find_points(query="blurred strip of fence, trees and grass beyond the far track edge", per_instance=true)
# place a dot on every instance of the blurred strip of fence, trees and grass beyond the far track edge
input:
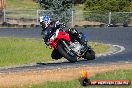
(75, 13)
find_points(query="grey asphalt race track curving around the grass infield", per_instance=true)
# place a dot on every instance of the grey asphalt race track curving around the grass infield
(116, 36)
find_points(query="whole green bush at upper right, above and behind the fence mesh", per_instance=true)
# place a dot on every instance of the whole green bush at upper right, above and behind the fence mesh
(101, 8)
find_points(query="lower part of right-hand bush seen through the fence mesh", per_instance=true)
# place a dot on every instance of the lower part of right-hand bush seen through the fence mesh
(116, 17)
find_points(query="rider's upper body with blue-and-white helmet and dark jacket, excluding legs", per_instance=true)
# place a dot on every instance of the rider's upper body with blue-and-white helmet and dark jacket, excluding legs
(49, 27)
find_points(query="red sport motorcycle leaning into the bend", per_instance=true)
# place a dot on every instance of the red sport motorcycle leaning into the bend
(70, 45)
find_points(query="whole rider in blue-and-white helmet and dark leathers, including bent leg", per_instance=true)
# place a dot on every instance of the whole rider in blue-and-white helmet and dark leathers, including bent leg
(49, 27)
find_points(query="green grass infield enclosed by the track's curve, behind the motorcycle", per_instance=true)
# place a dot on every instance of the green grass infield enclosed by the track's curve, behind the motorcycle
(15, 51)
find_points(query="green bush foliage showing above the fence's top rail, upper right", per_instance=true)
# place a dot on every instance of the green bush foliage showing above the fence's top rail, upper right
(108, 5)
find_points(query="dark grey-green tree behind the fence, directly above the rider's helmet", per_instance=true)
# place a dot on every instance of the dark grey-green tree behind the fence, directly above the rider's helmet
(59, 9)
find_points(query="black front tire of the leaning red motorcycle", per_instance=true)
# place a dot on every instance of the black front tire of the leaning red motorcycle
(64, 53)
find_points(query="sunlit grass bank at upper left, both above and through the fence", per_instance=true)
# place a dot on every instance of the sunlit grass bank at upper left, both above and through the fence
(21, 9)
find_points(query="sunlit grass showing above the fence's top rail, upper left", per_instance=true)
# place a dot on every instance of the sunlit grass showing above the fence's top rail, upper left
(21, 4)
